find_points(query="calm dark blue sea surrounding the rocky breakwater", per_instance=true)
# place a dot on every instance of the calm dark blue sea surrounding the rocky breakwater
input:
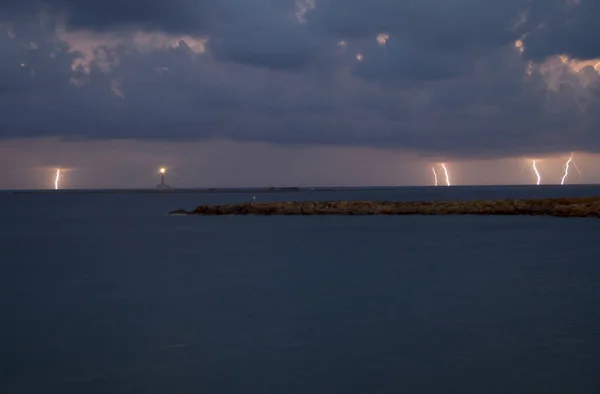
(104, 292)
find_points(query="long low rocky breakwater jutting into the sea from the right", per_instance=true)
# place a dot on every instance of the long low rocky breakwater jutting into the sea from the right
(564, 207)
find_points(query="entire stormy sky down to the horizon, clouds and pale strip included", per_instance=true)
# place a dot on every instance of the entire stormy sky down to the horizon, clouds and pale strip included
(308, 92)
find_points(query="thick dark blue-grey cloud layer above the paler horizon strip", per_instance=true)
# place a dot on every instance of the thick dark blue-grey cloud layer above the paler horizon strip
(454, 78)
